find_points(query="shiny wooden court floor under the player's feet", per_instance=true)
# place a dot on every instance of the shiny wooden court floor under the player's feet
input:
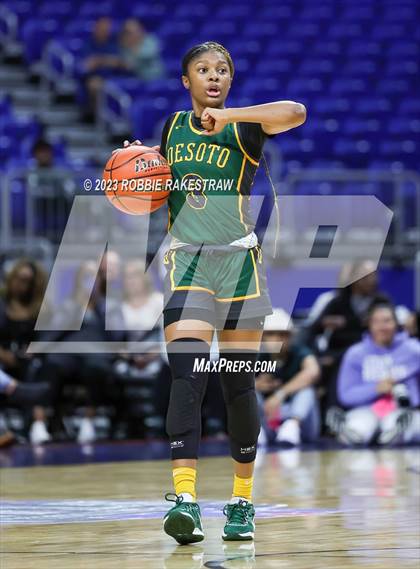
(315, 510)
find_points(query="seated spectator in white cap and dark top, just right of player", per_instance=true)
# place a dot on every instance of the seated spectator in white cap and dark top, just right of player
(288, 394)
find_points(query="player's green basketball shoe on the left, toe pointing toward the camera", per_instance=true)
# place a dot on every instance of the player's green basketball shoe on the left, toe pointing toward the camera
(183, 521)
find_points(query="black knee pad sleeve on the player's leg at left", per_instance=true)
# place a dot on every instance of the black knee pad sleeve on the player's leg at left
(183, 420)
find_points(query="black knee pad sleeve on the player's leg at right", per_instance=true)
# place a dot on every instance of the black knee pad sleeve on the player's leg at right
(241, 405)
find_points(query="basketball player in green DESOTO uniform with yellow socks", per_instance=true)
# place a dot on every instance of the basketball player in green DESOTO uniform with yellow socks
(215, 279)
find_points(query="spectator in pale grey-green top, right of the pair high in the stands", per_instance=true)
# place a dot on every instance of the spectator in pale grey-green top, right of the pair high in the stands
(140, 51)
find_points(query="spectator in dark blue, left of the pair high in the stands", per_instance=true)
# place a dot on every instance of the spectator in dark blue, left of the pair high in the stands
(101, 58)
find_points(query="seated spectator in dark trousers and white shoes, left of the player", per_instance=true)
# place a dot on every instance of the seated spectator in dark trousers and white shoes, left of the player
(87, 304)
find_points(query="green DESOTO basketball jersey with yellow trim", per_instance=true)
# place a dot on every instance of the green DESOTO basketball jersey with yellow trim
(212, 178)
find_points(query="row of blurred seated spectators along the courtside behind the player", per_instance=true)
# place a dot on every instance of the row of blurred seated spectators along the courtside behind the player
(350, 368)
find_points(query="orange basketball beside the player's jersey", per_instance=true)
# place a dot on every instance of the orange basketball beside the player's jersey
(136, 179)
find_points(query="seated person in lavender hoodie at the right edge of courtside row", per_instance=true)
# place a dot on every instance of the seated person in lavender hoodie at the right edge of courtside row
(379, 384)
